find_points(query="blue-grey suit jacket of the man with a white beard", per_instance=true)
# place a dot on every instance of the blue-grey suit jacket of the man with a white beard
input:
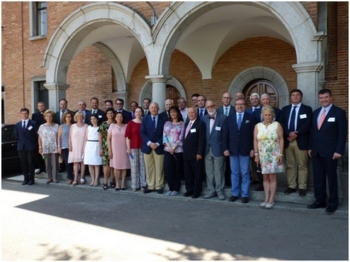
(214, 139)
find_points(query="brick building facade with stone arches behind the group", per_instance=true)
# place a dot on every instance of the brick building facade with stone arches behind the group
(112, 50)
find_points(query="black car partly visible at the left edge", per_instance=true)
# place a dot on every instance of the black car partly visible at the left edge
(9, 155)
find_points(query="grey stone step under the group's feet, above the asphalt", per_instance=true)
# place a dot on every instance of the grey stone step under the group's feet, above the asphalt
(282, 201)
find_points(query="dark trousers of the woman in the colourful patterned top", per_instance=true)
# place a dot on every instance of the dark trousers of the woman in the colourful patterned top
(173, 167)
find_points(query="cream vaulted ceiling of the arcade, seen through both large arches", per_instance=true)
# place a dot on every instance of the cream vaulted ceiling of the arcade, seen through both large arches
(205, 40)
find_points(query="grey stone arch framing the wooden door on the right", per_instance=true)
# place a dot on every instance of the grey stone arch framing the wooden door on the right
(246, 76)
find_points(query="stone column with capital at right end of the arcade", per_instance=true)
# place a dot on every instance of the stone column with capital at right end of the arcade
(308, 82)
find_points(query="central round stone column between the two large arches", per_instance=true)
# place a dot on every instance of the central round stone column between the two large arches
(158, 90)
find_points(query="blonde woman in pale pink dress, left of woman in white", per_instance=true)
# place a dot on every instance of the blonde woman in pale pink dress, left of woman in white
(77, 135)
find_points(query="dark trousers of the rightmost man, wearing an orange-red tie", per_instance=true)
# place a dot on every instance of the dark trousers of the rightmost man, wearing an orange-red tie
(324, 168)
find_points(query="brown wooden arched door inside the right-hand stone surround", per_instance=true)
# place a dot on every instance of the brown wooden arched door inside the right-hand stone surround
(261, 86)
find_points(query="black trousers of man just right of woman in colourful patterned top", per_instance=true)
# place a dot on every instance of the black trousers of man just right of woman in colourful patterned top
(193, 175)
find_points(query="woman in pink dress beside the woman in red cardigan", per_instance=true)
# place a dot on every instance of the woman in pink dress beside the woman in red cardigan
(119, 159)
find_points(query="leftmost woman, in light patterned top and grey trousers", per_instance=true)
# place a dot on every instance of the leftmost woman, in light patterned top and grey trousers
(47, 141)
